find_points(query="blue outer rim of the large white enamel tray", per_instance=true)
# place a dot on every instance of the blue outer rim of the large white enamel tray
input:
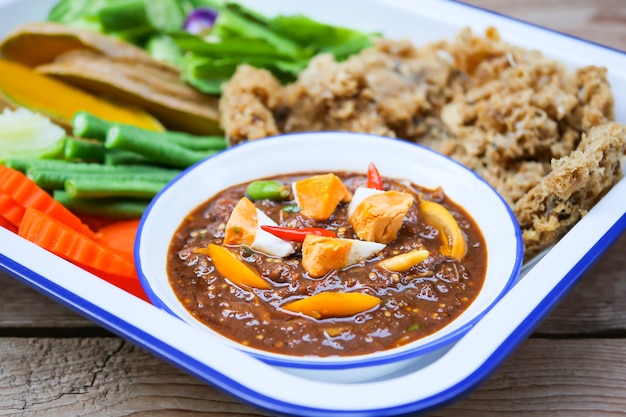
(195, 367)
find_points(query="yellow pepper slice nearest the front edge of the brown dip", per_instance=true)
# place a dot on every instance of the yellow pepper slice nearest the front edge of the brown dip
(333, 304)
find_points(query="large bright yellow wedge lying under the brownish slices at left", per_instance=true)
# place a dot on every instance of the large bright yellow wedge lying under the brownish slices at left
(22, 86)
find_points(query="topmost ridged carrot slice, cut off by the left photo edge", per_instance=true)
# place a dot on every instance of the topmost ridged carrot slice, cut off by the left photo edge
(25, 192)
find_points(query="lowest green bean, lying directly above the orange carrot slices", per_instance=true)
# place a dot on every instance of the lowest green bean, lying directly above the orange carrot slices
(114, 208)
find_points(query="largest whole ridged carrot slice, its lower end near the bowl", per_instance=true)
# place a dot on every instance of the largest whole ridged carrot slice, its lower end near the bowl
(58, 238)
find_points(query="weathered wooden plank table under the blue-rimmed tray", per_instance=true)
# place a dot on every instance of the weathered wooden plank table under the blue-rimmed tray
(56, 363)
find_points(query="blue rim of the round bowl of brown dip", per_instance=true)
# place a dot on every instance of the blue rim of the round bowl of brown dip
(344, 362)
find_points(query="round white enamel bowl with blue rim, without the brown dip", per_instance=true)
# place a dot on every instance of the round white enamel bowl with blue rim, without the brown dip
(328, 152)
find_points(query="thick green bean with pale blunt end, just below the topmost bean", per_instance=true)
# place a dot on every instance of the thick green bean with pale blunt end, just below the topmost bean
(162, 152)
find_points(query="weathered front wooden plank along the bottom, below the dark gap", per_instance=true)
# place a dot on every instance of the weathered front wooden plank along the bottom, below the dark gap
(111, 377)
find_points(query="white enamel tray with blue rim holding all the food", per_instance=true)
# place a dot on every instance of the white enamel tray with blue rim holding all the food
(448, 374)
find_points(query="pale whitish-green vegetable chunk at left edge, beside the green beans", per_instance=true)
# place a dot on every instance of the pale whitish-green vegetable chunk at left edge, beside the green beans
(27, 134)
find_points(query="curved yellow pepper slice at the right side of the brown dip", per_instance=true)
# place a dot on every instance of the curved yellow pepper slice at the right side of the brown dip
(439, 217)
